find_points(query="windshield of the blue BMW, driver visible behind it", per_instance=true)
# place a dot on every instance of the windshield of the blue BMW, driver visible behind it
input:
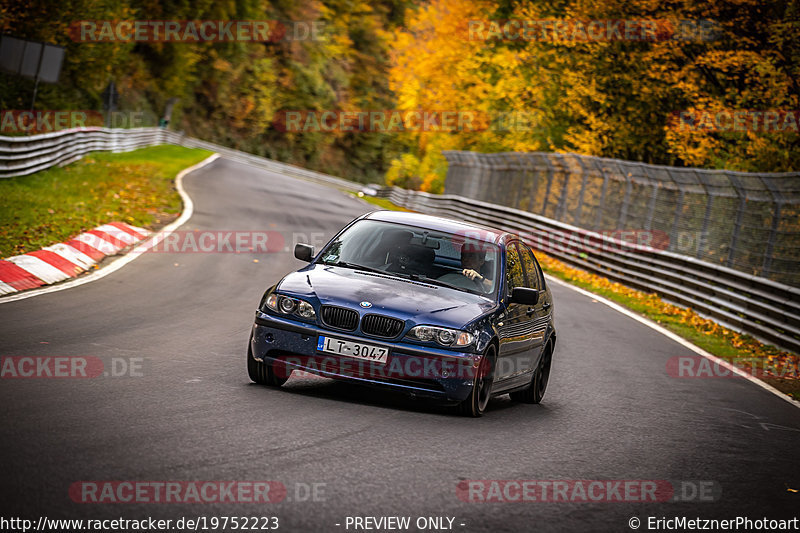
(459, 261)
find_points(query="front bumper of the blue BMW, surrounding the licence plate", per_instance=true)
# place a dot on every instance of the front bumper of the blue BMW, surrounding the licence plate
(423, 371)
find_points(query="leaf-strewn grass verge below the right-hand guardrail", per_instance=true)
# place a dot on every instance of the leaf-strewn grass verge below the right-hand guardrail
(776, 367)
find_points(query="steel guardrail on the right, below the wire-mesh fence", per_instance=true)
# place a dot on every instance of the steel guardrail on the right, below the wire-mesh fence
(756, 305)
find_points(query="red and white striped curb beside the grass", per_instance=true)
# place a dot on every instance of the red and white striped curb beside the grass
(67, 259)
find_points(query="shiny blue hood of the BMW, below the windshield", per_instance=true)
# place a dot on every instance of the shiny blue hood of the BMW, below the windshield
(405, 299)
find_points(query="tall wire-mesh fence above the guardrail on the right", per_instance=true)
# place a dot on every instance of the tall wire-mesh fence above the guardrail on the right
(749, 221)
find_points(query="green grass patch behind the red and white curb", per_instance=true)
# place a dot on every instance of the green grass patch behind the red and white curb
(53, 205)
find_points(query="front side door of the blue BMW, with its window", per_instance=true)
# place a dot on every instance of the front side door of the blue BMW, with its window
(515, 329)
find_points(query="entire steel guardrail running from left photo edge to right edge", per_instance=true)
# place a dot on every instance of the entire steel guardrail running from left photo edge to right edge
(756, 305)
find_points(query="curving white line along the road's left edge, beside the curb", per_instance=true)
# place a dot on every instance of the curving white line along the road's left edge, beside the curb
(188, 209)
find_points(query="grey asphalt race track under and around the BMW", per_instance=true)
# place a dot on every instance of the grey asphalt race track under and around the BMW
(611, 411)
